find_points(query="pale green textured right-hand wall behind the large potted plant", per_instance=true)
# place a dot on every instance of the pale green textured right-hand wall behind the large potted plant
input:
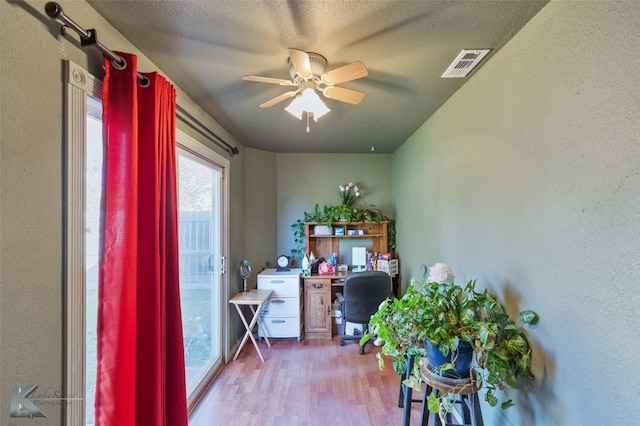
(528, 179)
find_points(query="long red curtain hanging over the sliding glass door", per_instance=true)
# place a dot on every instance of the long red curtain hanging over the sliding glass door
(141, 374)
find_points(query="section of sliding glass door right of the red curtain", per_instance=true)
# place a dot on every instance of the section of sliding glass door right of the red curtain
(201, 198)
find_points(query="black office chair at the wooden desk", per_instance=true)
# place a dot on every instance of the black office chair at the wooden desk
(363, 294)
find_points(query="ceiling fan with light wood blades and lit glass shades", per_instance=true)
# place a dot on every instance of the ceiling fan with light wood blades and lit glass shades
(308, 70)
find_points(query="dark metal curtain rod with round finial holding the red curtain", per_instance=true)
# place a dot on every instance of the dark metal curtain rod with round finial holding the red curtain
(89, 38)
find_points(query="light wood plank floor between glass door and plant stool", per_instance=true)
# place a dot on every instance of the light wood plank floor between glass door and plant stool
(311, 382)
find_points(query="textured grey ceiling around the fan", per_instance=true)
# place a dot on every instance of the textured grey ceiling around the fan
(206, 47)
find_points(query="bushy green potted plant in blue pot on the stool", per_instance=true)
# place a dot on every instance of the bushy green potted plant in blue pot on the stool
(447, 317)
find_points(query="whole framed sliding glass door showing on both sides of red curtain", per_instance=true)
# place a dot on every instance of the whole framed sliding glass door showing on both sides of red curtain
(202, 192)
